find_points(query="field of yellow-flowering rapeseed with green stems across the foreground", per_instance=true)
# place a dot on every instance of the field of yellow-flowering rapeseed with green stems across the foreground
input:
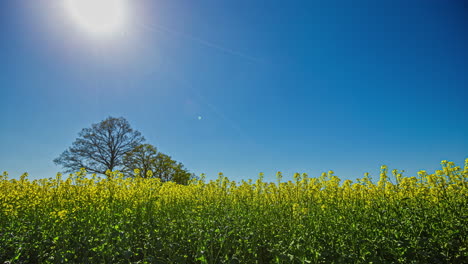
(88, 219)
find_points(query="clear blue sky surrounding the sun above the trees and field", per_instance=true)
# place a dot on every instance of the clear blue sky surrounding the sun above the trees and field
(243, 87)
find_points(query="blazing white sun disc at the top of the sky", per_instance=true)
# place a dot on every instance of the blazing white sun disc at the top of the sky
(99, 17)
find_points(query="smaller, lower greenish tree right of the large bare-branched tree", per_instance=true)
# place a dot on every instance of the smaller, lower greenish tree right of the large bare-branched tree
(154, 164)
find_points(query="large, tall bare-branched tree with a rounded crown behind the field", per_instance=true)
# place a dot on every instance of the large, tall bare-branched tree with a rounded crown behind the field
(101, 147)
